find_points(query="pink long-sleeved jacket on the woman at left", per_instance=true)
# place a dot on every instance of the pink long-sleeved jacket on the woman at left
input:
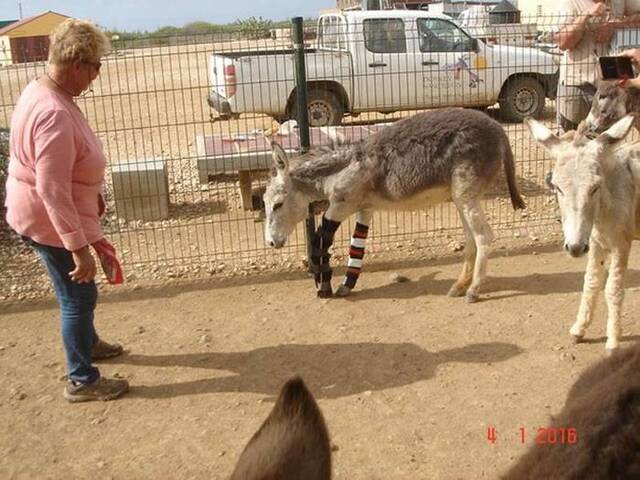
(56, 171)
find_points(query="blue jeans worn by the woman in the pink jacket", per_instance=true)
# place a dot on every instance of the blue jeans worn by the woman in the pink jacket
(77, 302)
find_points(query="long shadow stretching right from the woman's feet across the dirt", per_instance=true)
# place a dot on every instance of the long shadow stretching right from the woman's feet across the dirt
(331, 370)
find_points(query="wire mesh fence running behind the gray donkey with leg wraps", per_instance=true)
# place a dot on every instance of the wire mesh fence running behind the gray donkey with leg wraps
(184, 180)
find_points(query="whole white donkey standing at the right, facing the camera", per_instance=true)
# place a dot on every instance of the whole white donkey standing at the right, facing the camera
(596, 183)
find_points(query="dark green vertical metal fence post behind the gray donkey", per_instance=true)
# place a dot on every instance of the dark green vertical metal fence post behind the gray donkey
(302, 114)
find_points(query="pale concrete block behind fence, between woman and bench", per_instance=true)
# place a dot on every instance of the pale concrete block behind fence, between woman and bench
(141, 190)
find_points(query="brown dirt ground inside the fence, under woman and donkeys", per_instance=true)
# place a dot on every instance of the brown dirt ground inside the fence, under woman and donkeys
(409, 380)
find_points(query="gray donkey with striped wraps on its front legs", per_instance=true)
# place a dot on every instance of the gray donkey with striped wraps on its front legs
(420, 161)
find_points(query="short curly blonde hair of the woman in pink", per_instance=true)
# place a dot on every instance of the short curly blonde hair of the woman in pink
(76, 41)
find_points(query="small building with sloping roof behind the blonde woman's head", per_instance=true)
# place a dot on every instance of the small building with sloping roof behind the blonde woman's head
(27, 40)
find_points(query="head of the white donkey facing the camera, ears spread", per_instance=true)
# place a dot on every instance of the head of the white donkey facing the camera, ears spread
(577, 177)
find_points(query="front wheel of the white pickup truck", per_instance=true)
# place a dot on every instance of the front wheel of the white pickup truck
(521, 97)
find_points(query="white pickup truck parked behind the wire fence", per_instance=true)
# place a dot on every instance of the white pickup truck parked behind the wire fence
(385, 61)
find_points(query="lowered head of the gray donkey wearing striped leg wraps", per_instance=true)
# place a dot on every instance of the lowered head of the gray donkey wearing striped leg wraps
(285, 205)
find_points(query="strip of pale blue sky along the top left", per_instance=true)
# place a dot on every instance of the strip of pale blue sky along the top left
(151, 14)
